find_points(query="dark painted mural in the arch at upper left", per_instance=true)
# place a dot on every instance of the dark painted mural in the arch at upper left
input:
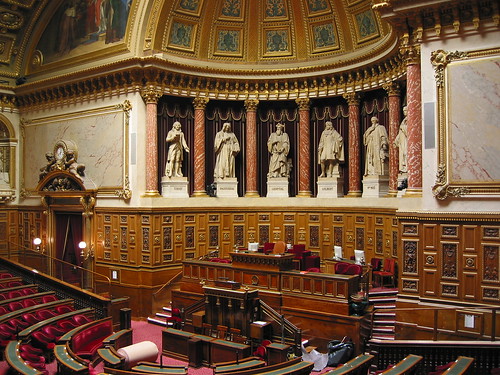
(82, 26)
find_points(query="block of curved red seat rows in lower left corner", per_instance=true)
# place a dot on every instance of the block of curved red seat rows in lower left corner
(31, 322)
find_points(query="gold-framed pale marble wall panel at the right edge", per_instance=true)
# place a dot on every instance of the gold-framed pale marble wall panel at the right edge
(466, 151)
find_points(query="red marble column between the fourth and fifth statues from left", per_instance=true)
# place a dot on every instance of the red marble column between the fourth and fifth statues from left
(353, 100)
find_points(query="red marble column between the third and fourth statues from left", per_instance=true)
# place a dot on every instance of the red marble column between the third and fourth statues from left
(304, 148)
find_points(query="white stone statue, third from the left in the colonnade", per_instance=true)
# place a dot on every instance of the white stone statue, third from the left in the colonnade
(278, 145)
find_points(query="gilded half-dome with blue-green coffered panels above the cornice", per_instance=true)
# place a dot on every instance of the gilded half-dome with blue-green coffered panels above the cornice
(256, 35)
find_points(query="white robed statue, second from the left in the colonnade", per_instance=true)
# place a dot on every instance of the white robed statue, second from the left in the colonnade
(226, 147)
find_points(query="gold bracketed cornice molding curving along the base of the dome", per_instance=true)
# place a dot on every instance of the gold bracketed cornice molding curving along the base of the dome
(134, 75)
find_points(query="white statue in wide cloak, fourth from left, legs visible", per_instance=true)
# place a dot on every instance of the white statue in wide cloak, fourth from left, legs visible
(330, 151)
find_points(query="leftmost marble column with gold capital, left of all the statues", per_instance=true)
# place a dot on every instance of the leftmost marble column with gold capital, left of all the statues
(151, 96)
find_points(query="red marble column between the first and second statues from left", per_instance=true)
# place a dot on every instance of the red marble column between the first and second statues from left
(200, 103)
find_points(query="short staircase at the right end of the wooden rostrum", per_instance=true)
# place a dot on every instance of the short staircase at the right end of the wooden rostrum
(384, 315)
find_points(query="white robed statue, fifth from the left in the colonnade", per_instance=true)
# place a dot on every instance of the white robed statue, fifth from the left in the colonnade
(375, 140)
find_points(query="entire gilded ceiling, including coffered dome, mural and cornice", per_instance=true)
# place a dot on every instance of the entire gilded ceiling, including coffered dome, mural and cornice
(229, 49)
